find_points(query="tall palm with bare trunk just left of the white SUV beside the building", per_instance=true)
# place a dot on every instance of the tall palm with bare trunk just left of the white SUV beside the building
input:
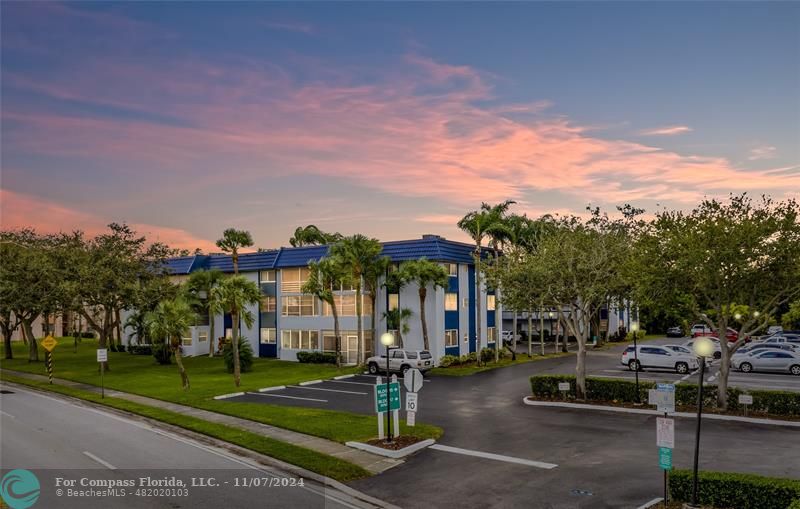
(359, 254)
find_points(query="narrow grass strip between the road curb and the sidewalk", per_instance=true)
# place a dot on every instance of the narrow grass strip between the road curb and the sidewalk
(314, 461)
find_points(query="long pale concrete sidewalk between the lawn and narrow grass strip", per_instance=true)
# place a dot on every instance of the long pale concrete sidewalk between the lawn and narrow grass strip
(371, 462)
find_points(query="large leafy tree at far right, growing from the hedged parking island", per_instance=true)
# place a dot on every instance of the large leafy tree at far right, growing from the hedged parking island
(721, 254)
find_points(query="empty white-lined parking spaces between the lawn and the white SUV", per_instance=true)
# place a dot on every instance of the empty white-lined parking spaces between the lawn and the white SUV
(350, 394)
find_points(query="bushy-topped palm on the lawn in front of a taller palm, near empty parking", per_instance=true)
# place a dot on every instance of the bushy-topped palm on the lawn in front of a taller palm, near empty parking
(233, 295)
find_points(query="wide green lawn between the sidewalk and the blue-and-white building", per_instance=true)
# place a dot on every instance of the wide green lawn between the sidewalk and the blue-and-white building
(140, 374)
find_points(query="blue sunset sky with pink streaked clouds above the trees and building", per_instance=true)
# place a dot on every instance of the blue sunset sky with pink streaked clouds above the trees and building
(392, 120)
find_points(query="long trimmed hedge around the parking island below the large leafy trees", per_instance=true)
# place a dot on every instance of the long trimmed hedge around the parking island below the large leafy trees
(608, 389)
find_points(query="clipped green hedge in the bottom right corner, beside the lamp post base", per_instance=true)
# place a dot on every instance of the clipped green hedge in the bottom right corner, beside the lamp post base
(727, 490)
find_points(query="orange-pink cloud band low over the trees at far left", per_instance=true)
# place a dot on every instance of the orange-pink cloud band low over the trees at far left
(18, 210)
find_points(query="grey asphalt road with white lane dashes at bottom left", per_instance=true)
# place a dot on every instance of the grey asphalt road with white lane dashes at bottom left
(54, 438)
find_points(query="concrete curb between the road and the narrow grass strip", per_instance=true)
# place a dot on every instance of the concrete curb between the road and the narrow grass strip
(221, 444)
